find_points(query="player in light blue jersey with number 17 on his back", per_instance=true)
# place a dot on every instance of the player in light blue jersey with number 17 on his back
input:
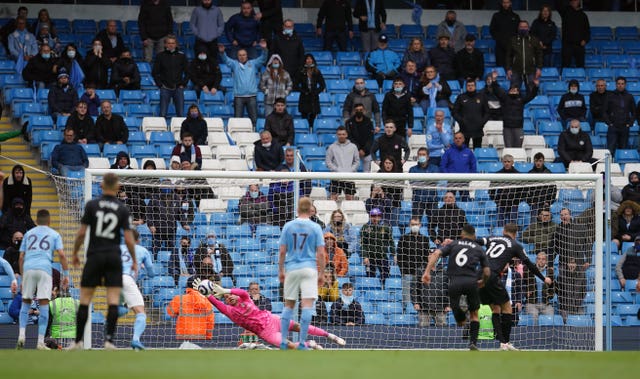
(301, 265)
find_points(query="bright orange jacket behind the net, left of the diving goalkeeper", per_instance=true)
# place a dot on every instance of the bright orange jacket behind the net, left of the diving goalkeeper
(194, 313)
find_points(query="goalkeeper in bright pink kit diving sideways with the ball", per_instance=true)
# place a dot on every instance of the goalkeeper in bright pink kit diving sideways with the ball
(236, 304)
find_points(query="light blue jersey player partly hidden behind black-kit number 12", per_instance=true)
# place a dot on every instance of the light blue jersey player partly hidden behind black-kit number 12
(130, 291)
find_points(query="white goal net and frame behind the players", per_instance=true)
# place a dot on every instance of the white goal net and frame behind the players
(226, 225)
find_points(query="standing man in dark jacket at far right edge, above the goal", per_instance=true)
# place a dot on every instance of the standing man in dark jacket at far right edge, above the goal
(619, 115)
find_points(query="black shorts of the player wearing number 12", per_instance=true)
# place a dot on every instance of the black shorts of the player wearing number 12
(102, 269)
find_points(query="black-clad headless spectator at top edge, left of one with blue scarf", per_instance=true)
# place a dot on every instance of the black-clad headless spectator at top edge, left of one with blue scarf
(338, 25)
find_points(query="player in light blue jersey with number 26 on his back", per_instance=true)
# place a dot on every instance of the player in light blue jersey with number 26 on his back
(36, 255)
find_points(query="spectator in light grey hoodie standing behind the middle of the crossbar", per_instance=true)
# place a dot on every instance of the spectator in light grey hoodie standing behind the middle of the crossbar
(342, 156)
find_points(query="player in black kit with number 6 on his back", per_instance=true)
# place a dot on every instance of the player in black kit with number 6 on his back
(464, 257)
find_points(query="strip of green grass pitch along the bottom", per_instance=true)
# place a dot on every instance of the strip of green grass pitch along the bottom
(328, 364)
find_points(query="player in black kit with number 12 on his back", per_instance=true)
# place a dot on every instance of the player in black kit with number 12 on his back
(107, 218)
